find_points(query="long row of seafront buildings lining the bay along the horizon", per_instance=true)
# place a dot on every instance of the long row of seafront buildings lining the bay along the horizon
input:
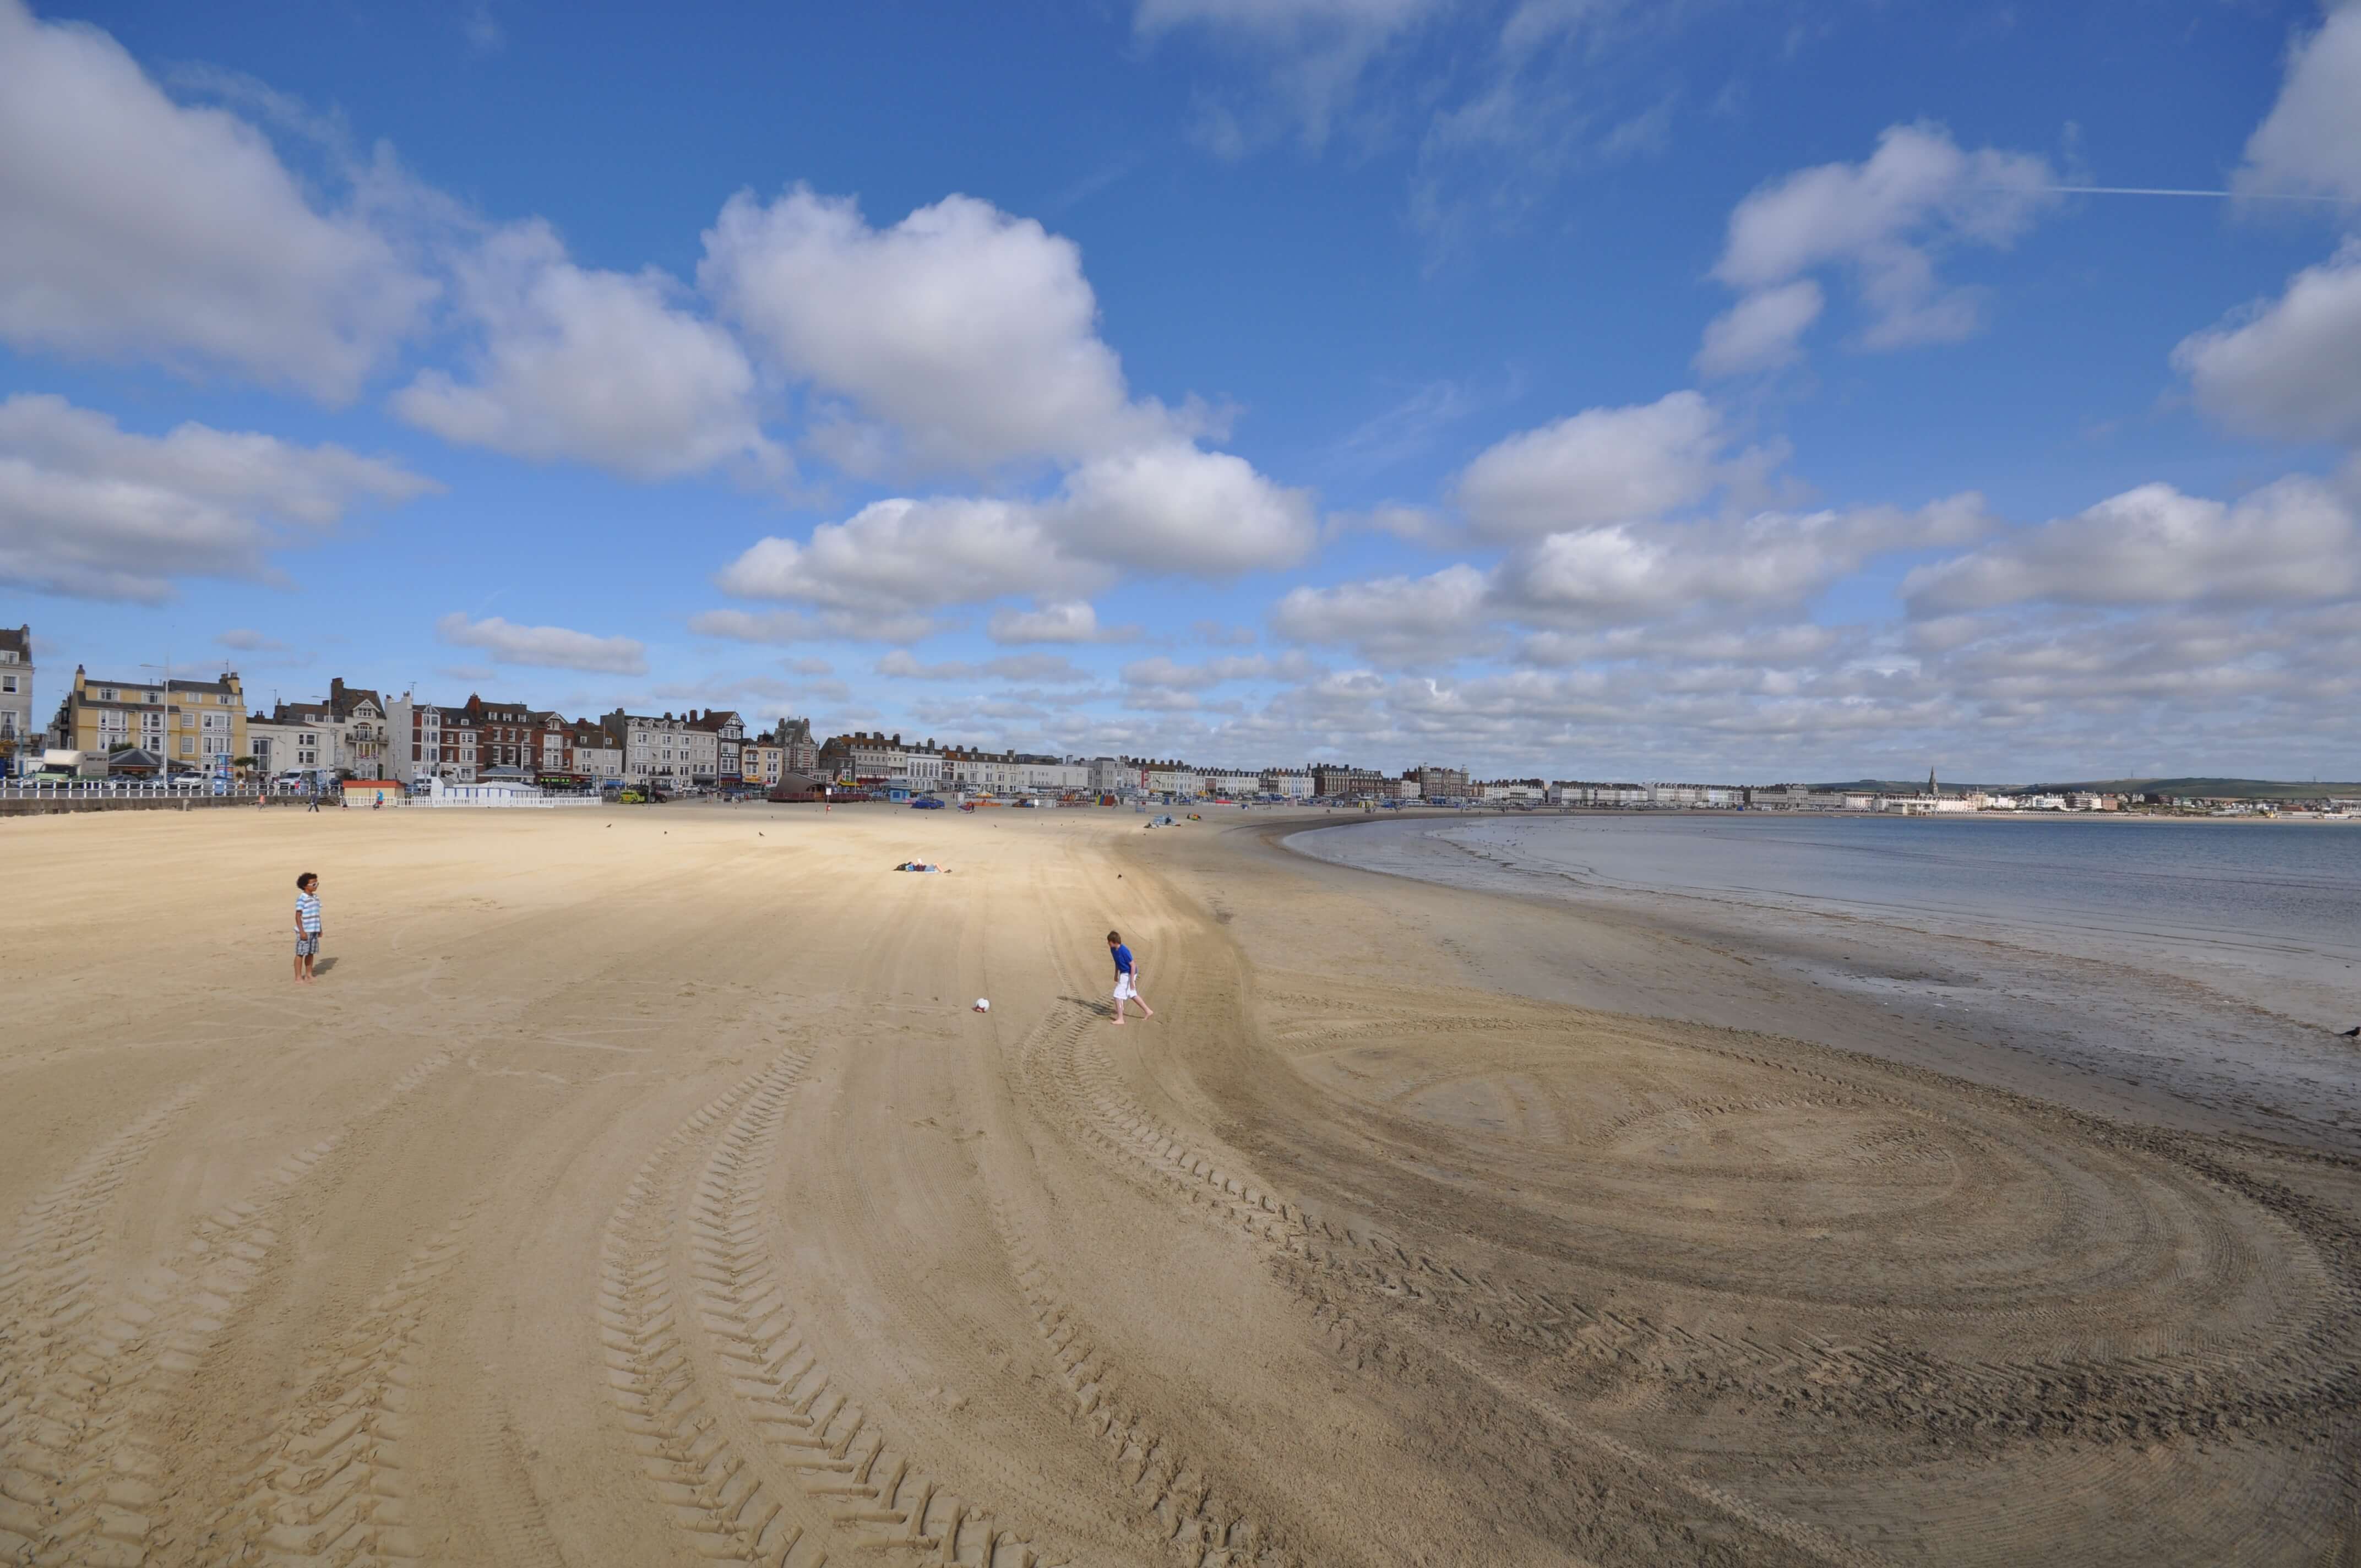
(360, 733)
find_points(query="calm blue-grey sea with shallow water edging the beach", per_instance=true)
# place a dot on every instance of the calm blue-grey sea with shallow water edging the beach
(2211, 955)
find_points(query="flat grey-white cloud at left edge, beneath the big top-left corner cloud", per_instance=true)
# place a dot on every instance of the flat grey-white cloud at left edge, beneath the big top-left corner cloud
(93, 511)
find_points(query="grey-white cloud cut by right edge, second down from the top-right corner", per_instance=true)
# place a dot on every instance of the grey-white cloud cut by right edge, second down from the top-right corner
(2289, 367)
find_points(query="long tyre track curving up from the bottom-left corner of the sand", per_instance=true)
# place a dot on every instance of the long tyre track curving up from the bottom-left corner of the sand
(81, 1444)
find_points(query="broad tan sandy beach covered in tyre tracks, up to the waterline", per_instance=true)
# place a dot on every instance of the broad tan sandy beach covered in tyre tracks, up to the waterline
(648, 1194)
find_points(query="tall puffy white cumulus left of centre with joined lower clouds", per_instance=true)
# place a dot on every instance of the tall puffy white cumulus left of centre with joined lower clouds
(969, 339)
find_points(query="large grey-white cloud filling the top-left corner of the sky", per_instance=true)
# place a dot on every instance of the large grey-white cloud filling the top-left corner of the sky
(140, 228)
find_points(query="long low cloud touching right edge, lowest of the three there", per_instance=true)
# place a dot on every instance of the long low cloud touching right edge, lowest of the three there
(2287, 544)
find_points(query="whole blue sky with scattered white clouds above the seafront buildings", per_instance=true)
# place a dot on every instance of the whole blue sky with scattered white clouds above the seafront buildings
(1550, 386)
